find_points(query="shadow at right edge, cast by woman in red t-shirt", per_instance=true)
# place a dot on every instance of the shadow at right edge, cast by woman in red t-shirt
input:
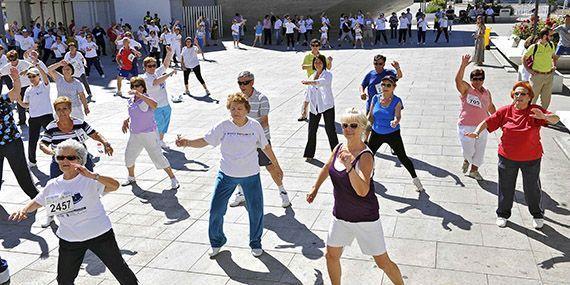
(549, 237)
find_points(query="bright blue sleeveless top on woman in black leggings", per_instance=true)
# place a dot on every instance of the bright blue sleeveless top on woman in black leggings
(384, 115)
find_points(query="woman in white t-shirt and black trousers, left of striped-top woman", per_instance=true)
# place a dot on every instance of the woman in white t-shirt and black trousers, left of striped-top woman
(37, 100)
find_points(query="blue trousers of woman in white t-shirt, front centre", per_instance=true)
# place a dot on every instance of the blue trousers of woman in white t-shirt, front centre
(223, 189)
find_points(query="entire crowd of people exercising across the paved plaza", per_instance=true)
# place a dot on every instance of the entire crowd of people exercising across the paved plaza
(73, 193)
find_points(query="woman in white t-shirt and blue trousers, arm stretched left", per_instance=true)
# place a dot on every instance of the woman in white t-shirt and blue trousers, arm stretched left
(239, 137)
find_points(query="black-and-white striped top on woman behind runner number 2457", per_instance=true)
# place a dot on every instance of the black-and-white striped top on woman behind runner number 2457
(54, 136)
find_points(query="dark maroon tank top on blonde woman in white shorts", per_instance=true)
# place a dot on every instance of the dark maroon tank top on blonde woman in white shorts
(348, 205)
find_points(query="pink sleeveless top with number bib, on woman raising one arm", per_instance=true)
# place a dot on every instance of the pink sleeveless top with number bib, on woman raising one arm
(474, 107)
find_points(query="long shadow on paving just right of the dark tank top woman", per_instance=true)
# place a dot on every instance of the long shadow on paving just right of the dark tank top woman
(426, 207)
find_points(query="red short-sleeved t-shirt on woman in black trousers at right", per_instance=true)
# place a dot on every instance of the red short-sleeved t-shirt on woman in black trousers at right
(521, 132)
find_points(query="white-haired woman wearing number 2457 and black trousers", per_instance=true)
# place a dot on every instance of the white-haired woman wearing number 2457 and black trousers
(75, 199)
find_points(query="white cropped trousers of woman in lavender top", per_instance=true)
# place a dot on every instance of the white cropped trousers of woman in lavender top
(149, 142)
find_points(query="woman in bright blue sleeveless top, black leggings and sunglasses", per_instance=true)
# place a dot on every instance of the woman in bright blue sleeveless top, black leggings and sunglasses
(385, 115)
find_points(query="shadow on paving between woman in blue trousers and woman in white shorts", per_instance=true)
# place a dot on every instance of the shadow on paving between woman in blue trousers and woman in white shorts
(291, 231)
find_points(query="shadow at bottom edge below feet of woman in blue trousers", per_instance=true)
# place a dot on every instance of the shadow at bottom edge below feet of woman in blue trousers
(277, 270)
